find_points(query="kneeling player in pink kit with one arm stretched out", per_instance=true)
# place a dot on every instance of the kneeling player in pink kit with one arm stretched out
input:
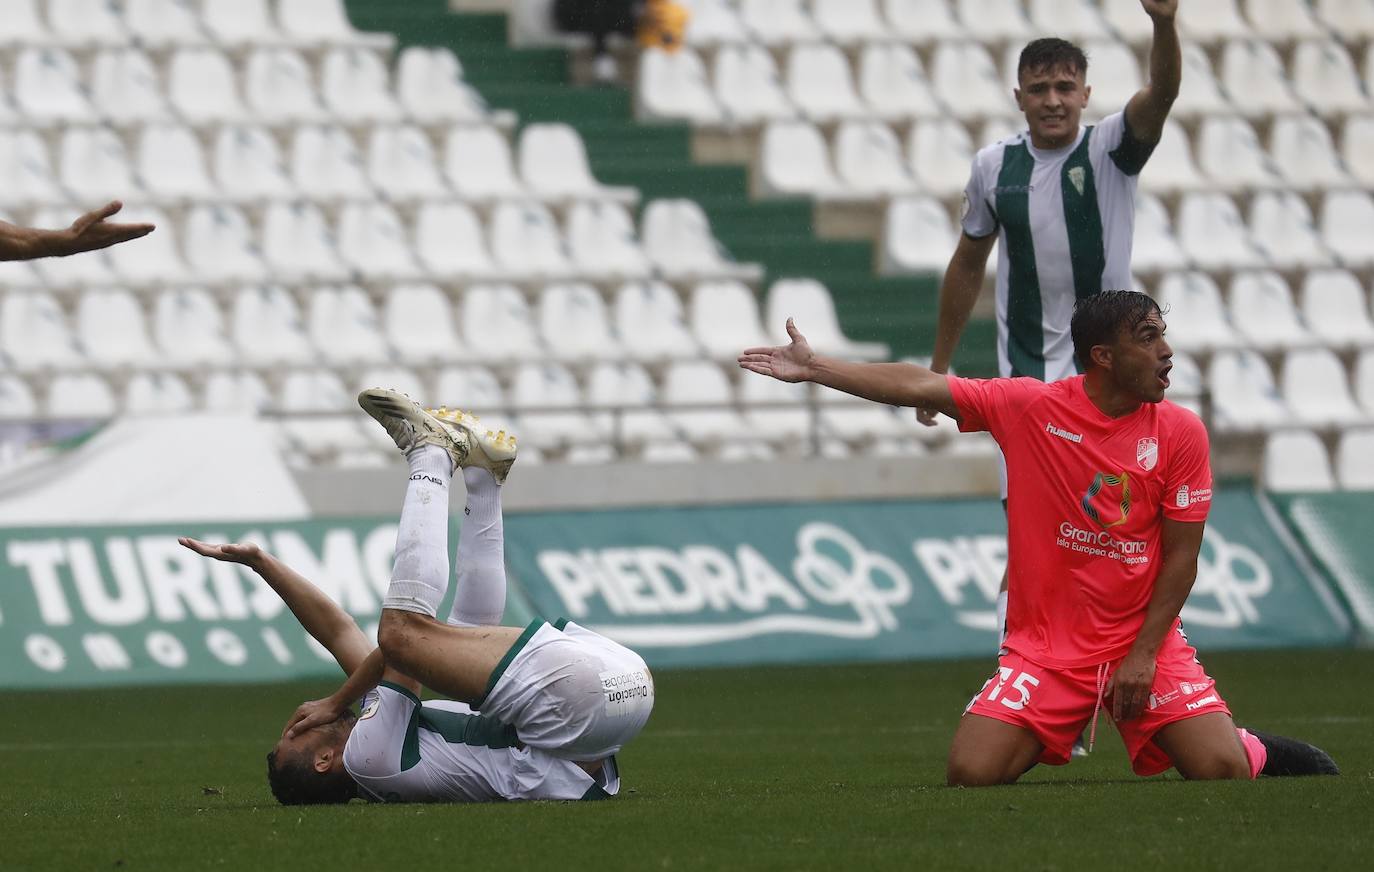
(1111, 488)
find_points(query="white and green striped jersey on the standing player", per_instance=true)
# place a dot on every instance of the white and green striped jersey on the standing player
(1066, 220)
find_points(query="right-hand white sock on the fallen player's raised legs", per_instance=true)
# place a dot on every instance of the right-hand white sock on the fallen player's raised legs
(480, 599)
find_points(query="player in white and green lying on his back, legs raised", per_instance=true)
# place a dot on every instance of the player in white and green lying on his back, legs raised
(556, 702)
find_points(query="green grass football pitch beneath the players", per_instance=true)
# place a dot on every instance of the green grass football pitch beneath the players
(798, 768)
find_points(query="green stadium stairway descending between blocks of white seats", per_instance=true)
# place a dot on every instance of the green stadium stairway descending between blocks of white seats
(656, 159)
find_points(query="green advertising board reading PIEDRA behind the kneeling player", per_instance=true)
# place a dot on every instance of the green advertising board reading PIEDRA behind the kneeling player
(859, 582)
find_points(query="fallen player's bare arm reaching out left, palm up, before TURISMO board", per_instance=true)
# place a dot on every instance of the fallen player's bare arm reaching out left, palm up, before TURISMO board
(319, 616)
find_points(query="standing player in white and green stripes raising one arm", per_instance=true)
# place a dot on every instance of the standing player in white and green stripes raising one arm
(1061, 200)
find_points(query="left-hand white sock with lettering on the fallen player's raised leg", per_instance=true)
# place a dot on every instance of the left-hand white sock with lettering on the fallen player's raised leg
(420, 575)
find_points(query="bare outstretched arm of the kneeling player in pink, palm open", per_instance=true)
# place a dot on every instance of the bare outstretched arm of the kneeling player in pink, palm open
(891, 384)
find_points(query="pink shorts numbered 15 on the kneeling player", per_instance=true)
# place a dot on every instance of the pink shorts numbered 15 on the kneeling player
(1057, 704)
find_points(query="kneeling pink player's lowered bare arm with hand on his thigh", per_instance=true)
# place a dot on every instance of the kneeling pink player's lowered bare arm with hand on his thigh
(1130, 685)
